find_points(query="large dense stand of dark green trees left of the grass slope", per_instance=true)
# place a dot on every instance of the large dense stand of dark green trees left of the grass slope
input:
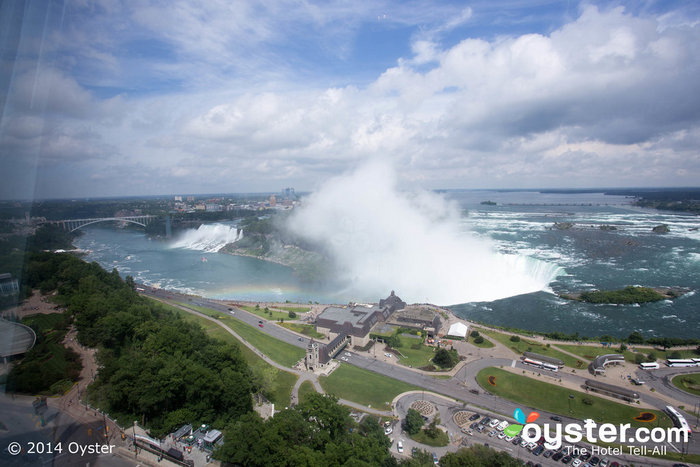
(155, 368)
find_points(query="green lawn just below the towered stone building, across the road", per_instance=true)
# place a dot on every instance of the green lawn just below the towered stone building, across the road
(364, 387)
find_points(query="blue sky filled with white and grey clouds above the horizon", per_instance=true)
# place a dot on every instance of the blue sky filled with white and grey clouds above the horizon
(127, 98)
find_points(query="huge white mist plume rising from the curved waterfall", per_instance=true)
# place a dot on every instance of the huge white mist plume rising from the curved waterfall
(383, 239)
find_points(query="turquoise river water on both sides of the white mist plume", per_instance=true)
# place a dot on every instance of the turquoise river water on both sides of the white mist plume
(520, 224)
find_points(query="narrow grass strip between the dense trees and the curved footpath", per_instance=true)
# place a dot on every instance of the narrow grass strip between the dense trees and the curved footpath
(284, 381)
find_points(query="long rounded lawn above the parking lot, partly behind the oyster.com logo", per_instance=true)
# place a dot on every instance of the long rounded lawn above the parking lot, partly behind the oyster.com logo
(545, 396)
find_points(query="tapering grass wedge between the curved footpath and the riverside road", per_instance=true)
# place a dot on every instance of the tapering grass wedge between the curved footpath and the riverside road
(281, 352)
